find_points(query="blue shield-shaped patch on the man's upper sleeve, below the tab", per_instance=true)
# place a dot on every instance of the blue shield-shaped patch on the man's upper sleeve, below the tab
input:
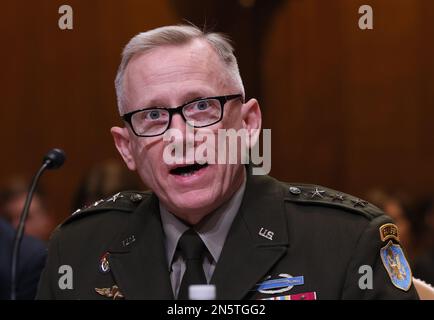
(396, 265)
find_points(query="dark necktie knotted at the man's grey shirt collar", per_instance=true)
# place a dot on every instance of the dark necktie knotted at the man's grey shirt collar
(192, 250)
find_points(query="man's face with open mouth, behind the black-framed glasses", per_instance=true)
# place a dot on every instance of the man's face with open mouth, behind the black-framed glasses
(170, 76)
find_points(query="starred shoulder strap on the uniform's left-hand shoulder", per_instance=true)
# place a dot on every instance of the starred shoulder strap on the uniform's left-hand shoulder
(122, 201)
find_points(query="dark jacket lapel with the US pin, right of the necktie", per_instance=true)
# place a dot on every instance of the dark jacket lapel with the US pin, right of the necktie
(256, 241)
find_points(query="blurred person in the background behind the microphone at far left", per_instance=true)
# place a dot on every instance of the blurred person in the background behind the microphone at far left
(33, 250)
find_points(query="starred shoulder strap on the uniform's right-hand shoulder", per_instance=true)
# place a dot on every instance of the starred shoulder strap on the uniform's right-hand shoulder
(318, 195)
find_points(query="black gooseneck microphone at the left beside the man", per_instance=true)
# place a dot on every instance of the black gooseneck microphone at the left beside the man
(53, 159)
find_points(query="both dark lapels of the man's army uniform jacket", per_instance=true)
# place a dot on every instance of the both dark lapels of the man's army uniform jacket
(246, 257)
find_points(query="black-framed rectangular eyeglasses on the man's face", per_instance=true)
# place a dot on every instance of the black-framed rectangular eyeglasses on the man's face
(199, 113)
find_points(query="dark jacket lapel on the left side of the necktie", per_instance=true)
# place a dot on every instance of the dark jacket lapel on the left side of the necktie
(137, 257)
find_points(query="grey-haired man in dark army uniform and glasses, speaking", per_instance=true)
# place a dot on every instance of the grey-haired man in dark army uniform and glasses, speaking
(251, 236)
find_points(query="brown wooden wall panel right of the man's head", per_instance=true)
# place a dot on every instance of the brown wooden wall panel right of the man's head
(355, 106)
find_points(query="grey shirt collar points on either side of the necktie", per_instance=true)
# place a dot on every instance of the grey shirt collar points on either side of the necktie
(212, 230)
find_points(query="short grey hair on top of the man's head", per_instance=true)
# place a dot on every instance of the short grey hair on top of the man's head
(175, 35)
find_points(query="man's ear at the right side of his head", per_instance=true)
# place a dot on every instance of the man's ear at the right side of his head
(252, 120)
